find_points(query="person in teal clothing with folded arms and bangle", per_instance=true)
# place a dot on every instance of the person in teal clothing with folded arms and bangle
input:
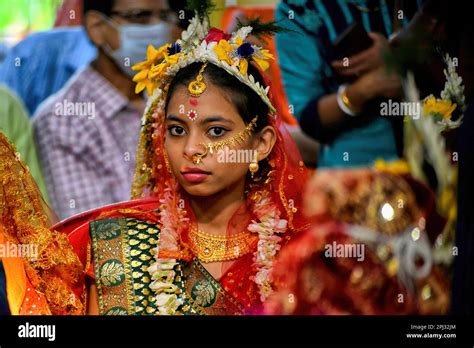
(357, 135)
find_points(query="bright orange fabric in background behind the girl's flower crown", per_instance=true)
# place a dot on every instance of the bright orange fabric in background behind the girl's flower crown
(266, 14)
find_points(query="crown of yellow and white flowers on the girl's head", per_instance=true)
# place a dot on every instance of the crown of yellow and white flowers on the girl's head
(201, 44)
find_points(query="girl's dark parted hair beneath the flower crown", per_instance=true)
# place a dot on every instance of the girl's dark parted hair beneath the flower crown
(247, 103)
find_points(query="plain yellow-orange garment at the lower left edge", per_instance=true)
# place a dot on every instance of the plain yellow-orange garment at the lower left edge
(15, 279)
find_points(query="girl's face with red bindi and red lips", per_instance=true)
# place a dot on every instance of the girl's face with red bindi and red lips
(216, 120)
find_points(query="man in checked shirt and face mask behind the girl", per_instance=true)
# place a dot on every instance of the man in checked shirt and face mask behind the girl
(87, 133)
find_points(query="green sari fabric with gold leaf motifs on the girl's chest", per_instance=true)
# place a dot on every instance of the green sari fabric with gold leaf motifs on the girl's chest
(123, 249)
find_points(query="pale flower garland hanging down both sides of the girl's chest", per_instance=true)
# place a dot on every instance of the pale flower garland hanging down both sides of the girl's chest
(163, 270)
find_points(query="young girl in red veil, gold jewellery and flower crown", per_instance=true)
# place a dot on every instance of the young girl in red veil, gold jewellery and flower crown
(217, 188)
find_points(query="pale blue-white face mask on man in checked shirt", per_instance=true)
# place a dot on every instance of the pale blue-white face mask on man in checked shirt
(134, 40)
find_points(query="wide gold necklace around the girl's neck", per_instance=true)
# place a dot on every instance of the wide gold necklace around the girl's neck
(210, 248)
